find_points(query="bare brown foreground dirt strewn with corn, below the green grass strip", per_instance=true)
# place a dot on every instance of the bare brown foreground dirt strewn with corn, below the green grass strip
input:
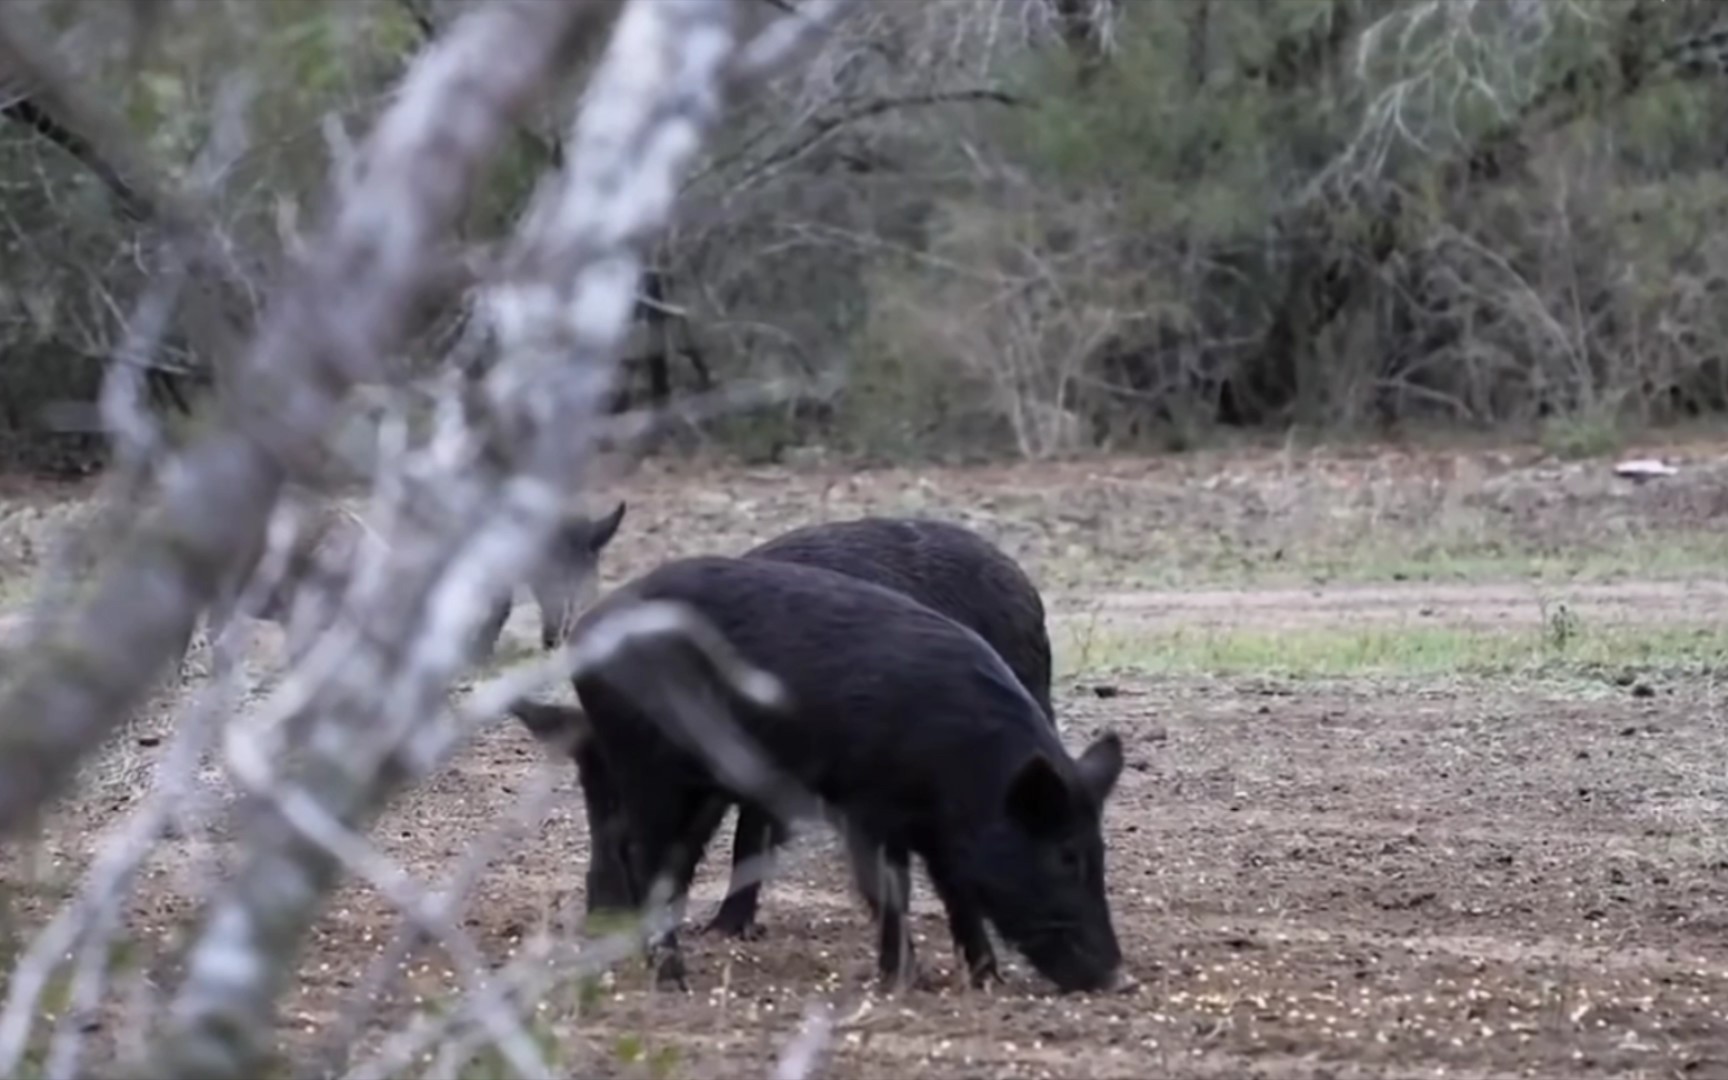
(1347, 882)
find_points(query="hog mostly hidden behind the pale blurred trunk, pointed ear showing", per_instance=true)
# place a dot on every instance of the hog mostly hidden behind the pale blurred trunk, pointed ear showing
(324, 557)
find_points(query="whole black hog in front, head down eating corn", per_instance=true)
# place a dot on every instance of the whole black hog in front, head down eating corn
(912, 732)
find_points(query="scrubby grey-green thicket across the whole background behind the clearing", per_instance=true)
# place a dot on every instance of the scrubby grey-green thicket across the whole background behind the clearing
(1007, 227)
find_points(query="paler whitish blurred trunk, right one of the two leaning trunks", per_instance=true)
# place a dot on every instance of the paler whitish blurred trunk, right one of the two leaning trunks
(483, 499)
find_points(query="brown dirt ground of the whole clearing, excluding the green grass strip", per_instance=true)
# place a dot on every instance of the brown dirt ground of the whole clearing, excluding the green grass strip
(1378, 877)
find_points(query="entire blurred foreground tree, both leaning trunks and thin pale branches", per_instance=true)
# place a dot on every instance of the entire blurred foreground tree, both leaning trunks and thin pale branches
(457, 516)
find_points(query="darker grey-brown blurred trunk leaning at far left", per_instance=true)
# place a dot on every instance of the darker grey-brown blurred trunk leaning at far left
(327, 329)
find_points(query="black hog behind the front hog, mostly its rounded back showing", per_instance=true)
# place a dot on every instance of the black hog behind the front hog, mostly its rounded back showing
(943, 566)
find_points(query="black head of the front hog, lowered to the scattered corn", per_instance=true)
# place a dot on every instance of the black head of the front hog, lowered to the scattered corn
(1039, 868)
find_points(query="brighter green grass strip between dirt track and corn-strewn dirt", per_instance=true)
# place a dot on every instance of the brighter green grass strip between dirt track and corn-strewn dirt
(1561, 647)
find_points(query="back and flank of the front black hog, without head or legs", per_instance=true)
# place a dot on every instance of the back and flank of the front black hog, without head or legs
(896, 708)
